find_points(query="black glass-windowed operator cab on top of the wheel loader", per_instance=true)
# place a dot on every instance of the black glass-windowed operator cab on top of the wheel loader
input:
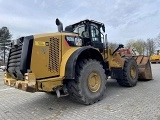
(90, 31)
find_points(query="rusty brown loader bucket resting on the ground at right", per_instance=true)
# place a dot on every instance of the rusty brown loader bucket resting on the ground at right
(144, 67)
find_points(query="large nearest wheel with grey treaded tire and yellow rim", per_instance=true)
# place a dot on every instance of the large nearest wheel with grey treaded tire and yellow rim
(90, 82)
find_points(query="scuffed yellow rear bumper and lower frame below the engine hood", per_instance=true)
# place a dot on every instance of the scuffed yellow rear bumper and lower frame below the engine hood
(32, 85)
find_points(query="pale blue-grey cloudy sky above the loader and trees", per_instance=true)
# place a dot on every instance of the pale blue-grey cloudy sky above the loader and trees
(124, 19)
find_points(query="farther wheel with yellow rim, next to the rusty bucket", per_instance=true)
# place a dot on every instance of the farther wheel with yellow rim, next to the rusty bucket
(130, 73)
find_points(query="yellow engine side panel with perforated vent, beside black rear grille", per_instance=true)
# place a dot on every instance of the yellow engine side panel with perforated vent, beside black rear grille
(43, 51)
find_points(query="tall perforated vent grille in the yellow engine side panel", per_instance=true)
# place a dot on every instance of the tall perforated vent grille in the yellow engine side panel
(54, 55)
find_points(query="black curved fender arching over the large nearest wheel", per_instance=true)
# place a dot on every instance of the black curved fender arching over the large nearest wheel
(71, 63)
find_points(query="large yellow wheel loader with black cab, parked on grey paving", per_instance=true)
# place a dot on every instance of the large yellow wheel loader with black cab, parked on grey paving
(74, 61)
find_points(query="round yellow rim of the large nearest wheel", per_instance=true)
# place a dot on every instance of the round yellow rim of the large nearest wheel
(94, 81)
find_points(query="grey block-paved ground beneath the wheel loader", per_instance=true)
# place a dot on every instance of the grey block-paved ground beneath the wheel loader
(141, 102)
